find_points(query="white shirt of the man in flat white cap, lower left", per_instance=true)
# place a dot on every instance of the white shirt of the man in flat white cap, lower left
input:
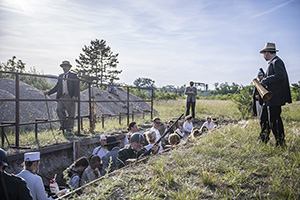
(35, 185)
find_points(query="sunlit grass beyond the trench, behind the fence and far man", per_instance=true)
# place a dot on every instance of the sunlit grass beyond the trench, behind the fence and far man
(166, 110)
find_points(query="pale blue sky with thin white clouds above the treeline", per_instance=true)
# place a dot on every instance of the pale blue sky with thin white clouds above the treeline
(169, 41)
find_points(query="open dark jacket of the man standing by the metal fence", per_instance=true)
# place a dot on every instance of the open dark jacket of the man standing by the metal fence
(72, 86)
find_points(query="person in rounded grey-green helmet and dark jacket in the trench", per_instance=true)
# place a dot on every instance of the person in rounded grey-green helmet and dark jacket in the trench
(135, 150)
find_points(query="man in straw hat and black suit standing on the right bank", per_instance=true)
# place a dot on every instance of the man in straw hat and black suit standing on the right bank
(277, 81)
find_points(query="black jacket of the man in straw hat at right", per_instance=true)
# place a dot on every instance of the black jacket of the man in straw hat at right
(277, 80)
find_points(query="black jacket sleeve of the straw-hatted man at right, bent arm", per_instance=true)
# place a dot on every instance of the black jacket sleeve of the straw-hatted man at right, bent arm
(279, 73)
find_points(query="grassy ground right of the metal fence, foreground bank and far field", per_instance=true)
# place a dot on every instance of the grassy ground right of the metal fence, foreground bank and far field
(227, 163)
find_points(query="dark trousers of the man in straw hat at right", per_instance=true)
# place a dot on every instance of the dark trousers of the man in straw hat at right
(276, 124)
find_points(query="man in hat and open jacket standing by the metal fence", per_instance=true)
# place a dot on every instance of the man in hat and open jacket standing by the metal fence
(66, 89)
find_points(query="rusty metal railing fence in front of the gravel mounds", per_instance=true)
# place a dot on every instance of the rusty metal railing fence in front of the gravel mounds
(16, 123)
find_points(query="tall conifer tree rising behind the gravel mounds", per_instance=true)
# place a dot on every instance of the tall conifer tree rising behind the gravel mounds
(97, 63)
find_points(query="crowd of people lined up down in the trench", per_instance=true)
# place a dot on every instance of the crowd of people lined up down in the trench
(105, 158)
